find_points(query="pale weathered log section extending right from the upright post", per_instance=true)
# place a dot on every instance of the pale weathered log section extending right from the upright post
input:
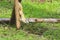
(52, 20)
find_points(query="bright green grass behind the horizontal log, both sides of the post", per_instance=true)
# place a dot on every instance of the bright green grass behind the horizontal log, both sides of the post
(46, 10)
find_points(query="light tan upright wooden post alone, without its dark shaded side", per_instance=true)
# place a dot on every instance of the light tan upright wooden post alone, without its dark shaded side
(17, 14)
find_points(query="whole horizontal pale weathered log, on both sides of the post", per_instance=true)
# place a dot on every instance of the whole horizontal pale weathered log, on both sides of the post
(52, 20)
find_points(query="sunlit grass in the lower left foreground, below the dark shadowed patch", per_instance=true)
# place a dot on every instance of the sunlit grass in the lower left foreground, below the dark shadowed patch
(13, 34)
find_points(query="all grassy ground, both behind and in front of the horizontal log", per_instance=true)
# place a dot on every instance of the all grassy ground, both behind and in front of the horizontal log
(31, 31)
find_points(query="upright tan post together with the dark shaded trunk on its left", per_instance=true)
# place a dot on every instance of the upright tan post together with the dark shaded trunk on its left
(15, 14)
